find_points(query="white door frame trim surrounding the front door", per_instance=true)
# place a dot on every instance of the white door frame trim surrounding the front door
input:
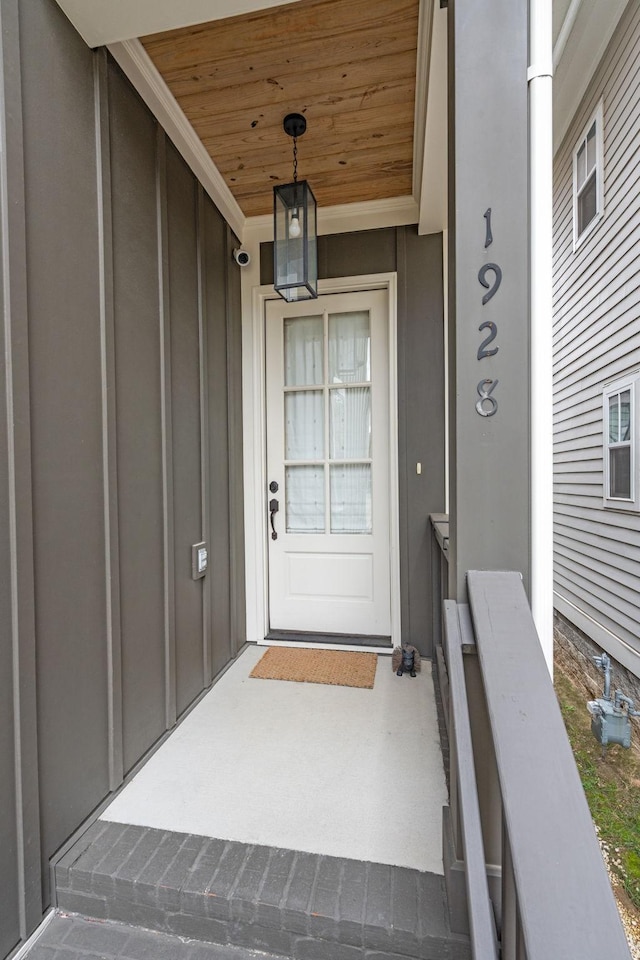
(255, 450)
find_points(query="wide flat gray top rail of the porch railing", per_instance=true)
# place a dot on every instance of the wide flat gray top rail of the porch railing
(564, 907)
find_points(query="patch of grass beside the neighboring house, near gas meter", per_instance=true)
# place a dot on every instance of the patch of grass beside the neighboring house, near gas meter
(611, 784)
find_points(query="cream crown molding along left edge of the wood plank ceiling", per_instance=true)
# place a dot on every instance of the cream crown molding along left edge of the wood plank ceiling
(138, 67)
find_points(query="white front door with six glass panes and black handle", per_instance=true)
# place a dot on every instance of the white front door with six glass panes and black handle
(328, 465)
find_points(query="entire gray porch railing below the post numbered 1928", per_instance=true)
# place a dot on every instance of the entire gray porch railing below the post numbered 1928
(523, 866)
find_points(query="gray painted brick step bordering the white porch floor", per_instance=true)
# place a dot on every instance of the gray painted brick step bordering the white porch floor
(278, 901)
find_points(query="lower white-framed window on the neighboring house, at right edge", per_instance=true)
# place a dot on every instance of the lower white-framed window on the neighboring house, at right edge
(620, 444)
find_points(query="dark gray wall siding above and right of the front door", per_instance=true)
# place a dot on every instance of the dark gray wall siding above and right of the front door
(421, 392)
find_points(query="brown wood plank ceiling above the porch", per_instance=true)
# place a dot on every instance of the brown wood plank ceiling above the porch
(348, 65)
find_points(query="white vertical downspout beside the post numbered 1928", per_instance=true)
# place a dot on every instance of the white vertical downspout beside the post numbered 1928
(541, 172)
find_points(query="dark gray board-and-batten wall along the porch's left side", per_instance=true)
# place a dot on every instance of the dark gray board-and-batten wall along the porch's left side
(120, 419)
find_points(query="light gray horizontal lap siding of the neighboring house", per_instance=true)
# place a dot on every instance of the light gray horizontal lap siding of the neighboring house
(596, 341)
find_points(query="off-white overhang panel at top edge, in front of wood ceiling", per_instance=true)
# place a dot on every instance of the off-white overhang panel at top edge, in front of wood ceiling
(100, 23)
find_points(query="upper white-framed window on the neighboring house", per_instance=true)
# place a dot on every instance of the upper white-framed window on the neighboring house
(588, 178)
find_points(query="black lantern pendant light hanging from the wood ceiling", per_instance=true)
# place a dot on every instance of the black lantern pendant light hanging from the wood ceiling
(295, 243)
